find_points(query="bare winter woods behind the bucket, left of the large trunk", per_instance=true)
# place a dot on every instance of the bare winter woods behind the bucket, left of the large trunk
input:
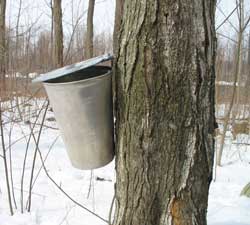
(28, 48)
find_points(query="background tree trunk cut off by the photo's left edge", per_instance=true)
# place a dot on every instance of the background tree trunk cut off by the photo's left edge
(2, 48)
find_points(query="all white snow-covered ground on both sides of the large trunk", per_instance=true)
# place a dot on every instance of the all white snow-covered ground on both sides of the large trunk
(51, 207)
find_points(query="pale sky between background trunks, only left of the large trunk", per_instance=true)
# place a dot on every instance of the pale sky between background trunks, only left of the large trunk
(34, 9)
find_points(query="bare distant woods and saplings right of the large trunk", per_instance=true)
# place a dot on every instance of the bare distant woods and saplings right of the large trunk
(233, 90)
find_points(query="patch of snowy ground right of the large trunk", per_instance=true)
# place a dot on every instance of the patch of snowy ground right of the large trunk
(226, 206)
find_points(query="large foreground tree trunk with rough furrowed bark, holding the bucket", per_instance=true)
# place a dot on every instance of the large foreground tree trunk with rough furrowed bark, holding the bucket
(164, 105)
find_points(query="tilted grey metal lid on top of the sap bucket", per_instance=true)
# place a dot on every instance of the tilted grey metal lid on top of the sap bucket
(72, 68)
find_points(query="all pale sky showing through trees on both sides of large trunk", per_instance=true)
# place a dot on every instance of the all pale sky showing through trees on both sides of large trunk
(39, 12)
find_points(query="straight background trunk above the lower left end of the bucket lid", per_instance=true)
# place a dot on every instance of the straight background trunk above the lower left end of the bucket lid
(58, 35)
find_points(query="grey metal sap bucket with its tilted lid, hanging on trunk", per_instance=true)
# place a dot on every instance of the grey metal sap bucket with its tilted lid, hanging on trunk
(81, 98)
